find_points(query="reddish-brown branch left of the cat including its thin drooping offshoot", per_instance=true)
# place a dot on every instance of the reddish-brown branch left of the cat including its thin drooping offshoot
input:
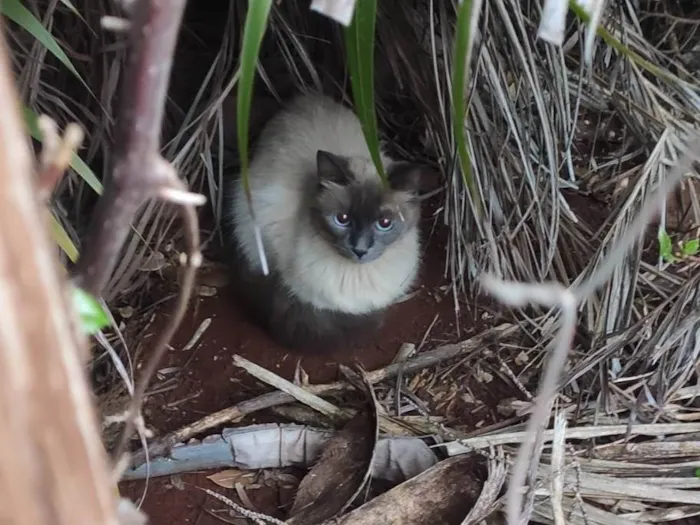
(140, 173)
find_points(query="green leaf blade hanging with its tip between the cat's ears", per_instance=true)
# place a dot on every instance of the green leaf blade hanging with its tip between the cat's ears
(359, 47)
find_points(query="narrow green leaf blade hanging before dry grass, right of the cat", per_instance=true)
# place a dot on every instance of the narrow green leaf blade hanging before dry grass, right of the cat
(461, 59)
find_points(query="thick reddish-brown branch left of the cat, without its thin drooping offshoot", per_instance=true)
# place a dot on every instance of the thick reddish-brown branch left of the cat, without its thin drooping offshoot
(137, 176)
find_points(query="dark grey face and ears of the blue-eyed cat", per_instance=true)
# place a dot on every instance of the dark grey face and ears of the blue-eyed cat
(359, 217)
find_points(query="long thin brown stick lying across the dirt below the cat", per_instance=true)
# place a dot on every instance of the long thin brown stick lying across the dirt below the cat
(424, 360)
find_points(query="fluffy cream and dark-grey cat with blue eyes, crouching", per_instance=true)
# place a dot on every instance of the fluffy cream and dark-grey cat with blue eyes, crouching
(341, 247)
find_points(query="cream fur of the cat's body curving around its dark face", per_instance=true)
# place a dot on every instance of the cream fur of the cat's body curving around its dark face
(279, 174)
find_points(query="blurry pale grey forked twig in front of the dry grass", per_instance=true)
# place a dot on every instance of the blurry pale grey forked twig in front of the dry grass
(517, 293)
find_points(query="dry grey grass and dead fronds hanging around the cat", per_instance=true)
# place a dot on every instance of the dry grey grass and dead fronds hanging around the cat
(540, 122)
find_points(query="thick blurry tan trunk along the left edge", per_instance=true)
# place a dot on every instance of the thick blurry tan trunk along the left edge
(53, 469)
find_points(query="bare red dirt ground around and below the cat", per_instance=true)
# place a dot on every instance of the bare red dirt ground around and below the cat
(209, 381)
